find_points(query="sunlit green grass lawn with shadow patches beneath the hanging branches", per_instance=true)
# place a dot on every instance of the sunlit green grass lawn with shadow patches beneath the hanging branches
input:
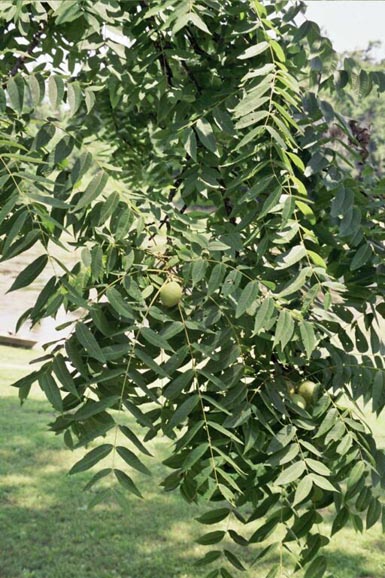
(48, 531)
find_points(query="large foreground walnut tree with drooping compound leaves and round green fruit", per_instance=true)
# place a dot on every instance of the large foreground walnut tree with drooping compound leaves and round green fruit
(215, 172)
